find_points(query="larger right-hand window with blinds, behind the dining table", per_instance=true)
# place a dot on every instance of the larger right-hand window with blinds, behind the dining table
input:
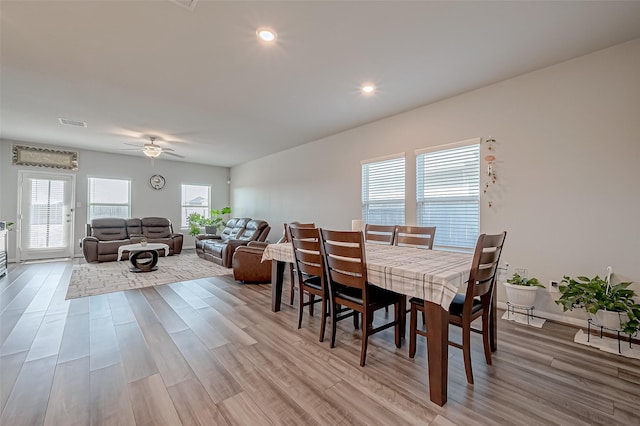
(448, 193)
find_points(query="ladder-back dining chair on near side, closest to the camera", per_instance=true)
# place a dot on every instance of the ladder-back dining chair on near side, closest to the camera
(346, 266)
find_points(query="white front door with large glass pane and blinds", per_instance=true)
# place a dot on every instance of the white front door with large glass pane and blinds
(45, 219)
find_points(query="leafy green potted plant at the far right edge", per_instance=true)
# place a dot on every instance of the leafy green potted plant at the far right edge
(611, 306)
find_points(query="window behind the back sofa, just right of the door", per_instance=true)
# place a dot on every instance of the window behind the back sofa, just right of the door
(109, 198)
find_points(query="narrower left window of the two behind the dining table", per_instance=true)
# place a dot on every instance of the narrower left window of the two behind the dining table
(383, 191)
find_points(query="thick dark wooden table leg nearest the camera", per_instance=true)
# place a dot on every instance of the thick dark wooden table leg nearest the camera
(437, 351)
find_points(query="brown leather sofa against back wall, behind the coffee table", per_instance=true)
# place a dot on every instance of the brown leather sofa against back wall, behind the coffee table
(106, 235)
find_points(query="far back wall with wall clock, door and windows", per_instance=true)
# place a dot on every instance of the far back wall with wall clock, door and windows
(145, 201)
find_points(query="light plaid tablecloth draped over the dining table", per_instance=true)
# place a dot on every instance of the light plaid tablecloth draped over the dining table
(433, 275)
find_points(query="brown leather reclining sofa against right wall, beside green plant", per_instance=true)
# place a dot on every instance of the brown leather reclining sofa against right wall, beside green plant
(238, 232)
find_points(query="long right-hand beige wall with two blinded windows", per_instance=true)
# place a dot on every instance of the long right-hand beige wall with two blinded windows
(568, 150)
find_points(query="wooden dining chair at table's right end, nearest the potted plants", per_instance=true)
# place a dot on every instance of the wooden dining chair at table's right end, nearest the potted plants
(475, 303)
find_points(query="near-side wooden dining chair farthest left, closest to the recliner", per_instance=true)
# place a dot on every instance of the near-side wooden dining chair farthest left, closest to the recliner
(309, 266)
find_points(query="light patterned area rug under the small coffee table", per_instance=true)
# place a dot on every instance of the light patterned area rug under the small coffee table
(98, 278)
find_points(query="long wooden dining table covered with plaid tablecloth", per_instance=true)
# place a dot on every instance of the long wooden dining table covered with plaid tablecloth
(434, 276)
